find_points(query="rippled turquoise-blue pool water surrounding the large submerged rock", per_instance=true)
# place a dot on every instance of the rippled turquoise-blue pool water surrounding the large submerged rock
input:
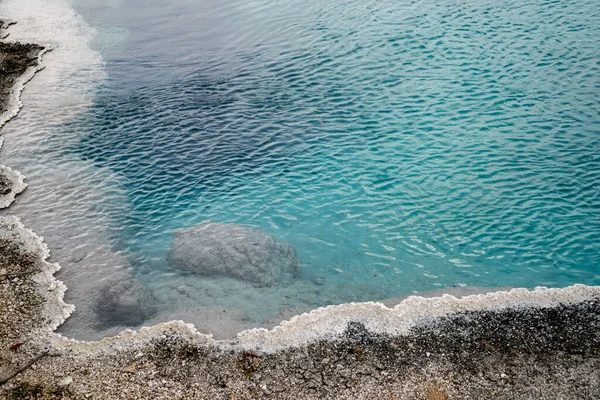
(399, 146)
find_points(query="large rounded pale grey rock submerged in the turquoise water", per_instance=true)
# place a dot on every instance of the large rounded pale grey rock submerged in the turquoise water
(238, 251)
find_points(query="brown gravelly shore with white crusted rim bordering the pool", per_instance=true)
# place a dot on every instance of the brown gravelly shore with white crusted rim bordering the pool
(542, 343)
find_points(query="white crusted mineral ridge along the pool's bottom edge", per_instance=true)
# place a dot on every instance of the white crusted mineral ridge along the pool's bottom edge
(329, 323)
